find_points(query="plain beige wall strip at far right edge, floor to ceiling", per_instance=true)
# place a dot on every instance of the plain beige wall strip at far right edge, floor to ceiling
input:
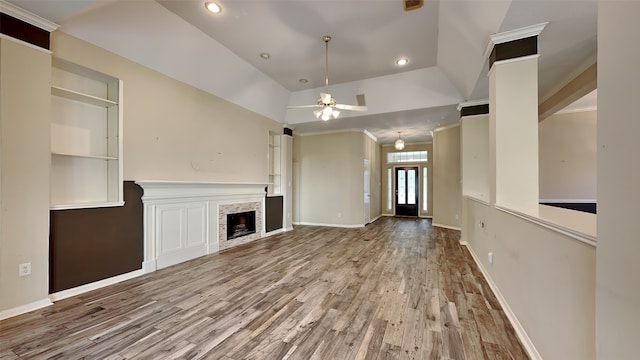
(618, 255)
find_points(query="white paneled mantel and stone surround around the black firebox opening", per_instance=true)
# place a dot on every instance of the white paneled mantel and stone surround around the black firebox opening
(186, 220)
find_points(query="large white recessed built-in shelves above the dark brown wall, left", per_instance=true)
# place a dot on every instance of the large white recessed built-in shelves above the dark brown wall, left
(86, 137)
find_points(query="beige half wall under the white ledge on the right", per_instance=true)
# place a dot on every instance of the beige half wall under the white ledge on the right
(546, 278)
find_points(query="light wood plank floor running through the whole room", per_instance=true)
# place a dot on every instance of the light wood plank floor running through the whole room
(396, 289)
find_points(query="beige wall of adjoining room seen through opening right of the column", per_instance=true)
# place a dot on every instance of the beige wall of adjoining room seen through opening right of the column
(568, 156)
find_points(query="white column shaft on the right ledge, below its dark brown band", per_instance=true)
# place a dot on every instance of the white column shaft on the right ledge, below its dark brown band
(513, 118)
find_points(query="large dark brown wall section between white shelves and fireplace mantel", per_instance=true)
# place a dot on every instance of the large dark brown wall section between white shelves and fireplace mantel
(87, 245)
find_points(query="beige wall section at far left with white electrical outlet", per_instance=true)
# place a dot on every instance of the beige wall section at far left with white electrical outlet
(24, 173)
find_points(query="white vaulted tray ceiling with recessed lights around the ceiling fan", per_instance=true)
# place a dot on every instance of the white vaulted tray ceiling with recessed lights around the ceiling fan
(446, 37)
